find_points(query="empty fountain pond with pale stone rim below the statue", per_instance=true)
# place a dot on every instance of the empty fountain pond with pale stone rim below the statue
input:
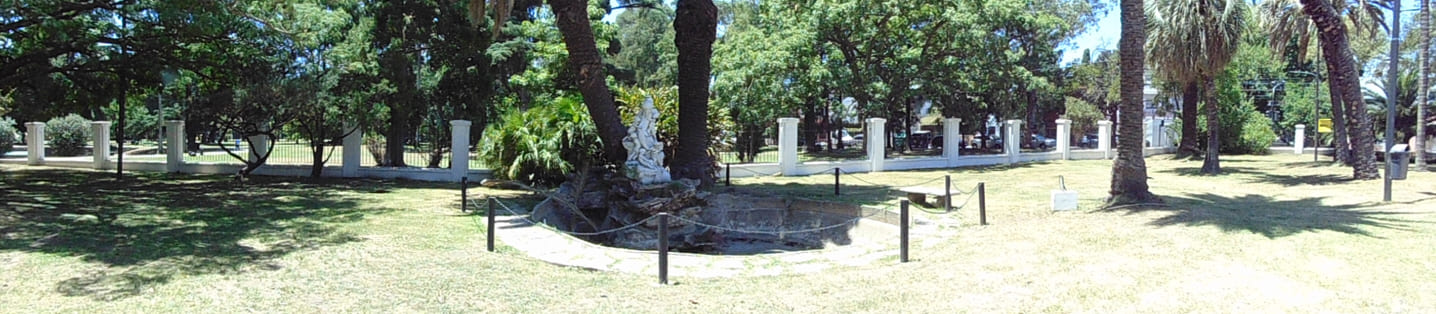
(717, 234)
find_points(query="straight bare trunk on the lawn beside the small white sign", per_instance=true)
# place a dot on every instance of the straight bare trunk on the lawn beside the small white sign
(1129, 171)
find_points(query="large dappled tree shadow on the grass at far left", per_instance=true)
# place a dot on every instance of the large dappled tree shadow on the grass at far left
(153, 227)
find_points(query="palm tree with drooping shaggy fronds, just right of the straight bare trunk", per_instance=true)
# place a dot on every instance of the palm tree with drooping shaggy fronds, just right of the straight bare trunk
(1191, 42)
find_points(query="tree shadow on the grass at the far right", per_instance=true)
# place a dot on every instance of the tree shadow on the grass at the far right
(1274, 219)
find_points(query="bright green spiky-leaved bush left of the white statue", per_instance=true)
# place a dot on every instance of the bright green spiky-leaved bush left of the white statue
(544, 144)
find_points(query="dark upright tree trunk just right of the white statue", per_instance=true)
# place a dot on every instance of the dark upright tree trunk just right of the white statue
(696, 28)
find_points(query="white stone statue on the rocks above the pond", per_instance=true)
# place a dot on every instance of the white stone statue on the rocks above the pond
(645, 160)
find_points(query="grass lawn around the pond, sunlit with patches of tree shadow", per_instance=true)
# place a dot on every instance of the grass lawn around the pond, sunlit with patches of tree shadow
(1274, 234)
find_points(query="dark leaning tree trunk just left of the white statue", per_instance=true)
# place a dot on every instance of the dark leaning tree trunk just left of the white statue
(572, 18)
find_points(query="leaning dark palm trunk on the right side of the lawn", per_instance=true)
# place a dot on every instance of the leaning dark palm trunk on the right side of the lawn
(1341, 64)
